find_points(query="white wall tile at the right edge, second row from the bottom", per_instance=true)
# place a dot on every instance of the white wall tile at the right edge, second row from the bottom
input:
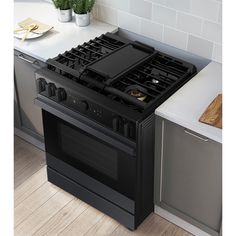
(212, 31)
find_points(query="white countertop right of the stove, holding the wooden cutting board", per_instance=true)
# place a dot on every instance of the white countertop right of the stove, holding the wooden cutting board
(188, 103)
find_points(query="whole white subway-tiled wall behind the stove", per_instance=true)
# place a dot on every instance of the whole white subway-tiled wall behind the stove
(192, 25)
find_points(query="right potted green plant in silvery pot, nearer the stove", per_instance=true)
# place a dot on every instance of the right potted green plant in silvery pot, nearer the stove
(82, 9)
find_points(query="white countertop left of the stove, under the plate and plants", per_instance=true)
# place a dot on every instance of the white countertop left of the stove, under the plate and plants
(62, 37)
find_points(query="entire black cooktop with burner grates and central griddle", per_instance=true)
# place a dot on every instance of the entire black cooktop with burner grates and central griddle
(130, 73)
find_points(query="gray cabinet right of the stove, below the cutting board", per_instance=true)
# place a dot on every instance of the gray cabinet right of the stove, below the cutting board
(188, 176)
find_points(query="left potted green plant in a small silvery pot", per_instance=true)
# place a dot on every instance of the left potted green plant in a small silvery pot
(64, 12)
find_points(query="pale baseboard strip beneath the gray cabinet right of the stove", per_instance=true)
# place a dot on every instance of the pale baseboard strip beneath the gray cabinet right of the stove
(180, 222)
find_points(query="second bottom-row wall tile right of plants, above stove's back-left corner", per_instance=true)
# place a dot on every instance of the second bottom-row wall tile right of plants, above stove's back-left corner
(129, 22)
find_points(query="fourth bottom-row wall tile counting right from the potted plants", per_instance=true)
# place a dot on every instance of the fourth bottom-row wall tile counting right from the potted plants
(175, 38)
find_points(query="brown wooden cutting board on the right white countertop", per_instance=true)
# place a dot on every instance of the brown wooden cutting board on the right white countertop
(213, 114)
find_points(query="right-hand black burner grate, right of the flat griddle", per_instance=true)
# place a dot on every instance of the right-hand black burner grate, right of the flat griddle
(156, 77)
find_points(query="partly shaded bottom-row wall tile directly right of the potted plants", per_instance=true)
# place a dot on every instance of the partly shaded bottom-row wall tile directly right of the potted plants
(108, 15)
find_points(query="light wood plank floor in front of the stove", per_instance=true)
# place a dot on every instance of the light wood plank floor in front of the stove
(43, 209)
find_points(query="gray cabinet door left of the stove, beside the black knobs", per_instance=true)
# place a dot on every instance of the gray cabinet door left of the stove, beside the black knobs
(31, 117)
